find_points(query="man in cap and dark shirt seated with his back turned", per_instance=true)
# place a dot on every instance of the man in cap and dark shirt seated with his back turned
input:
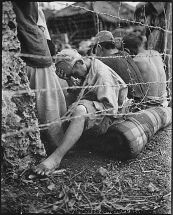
(120, 62)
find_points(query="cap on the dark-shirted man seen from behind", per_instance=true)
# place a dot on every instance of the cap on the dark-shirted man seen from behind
(104, 36)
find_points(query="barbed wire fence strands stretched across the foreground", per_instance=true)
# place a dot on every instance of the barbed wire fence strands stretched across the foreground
(68, 116)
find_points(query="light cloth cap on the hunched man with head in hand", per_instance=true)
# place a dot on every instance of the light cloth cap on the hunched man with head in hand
(66, 59)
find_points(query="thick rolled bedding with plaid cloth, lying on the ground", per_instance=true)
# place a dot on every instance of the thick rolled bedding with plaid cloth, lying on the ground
(126, 138)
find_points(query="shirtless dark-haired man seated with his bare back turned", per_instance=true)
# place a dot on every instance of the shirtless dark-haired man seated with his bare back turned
(151, 67)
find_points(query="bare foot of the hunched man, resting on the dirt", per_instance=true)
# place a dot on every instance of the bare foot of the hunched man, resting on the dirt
(47, 166)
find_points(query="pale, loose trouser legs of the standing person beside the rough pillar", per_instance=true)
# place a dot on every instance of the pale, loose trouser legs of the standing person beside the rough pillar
(50, 103)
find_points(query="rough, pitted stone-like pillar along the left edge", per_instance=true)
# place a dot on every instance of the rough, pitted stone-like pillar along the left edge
(21, 150)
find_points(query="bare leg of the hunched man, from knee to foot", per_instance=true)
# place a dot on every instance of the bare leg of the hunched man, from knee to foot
(71, 136)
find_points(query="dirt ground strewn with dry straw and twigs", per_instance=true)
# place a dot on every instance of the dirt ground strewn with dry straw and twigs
(94, 183)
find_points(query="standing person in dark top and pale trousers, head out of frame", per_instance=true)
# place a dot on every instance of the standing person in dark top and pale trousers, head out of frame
(50, 99)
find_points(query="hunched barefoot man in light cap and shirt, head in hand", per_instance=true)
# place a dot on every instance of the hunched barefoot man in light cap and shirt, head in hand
(103, 98)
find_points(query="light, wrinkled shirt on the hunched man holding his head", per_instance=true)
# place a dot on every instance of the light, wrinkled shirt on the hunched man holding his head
(105, 88)
